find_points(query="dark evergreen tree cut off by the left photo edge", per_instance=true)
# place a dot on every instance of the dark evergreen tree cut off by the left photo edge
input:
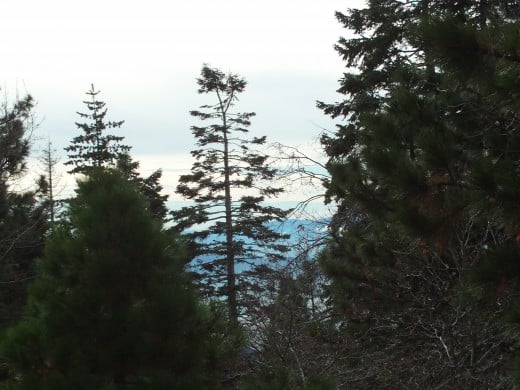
(22, 214)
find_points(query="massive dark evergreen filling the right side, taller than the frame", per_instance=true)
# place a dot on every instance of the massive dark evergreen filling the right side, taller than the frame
(425, 173)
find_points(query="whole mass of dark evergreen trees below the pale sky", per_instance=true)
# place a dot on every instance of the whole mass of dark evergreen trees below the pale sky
(412, 282)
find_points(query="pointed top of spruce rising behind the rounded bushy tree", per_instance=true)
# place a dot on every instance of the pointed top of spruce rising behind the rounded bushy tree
(94, 147)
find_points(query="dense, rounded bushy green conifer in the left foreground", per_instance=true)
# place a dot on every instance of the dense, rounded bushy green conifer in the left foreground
(111, 306)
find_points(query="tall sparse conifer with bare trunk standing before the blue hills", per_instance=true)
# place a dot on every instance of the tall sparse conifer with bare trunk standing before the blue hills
(228, 183)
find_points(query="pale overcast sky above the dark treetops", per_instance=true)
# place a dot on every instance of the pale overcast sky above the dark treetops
(144, 56)
